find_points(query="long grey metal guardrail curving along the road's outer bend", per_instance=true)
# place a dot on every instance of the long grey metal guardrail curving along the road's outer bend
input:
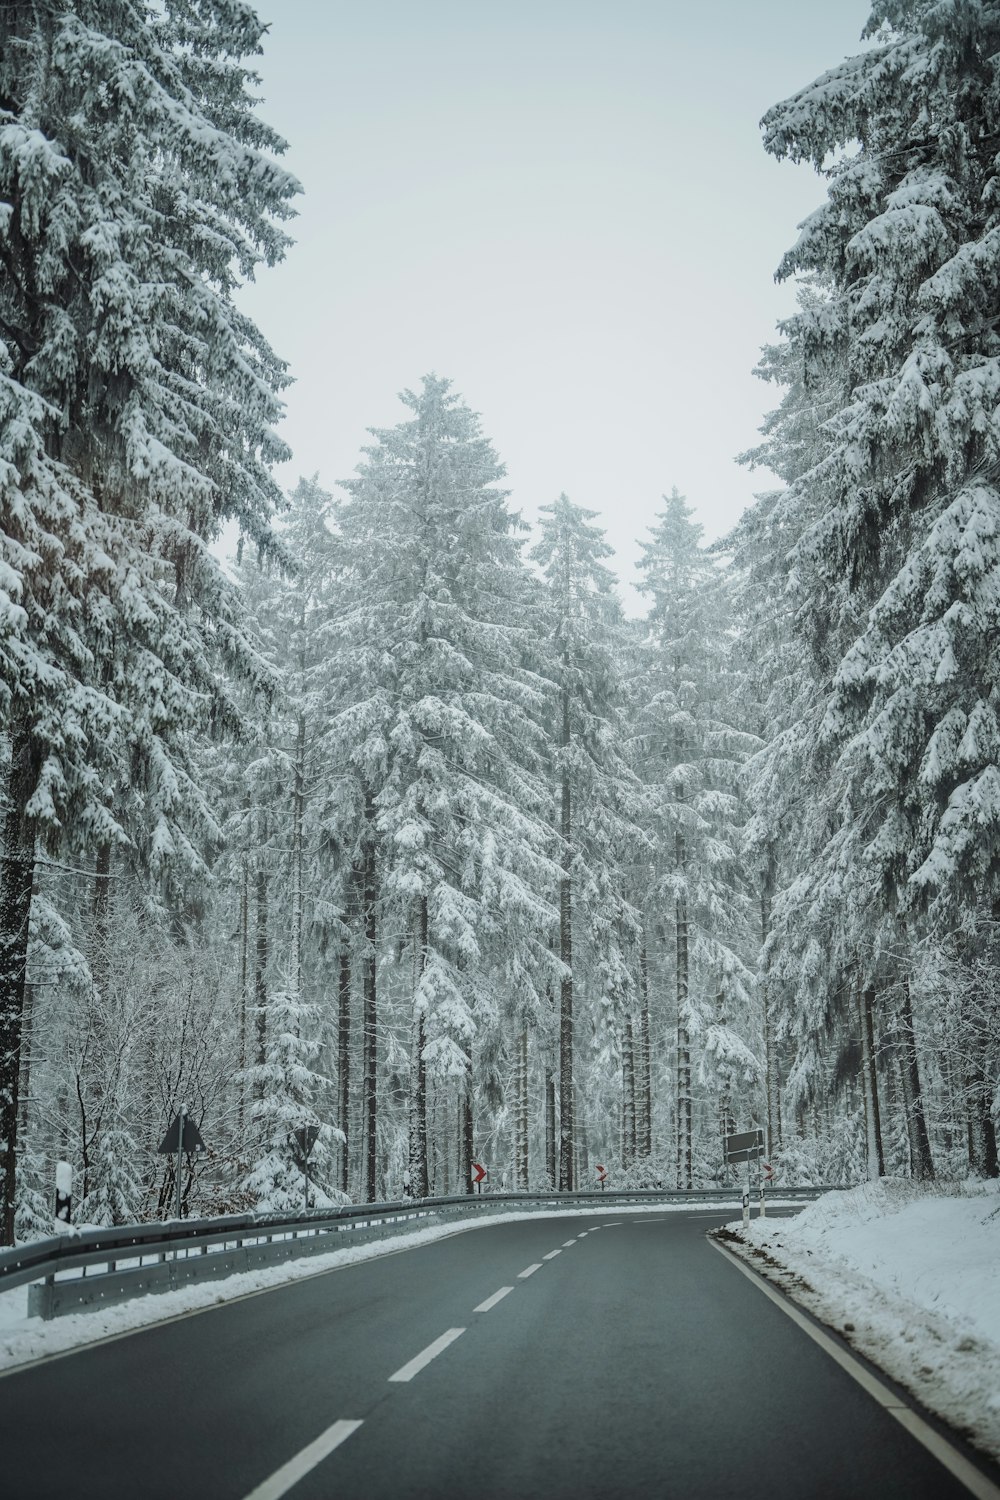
(62, 1274)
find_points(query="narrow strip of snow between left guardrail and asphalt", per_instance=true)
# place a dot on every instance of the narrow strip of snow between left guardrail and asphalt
(23, 1339)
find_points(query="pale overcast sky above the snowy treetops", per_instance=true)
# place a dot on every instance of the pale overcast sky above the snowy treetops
(560, 205)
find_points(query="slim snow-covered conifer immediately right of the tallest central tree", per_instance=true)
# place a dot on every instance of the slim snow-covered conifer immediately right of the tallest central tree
(596, 790)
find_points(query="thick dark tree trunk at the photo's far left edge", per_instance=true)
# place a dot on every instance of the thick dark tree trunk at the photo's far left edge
(17, 877)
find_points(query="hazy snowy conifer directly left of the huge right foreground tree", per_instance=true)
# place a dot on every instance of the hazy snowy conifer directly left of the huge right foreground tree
(785, 673)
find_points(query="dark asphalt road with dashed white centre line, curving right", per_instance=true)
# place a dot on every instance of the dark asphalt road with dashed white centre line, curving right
(633, 1361)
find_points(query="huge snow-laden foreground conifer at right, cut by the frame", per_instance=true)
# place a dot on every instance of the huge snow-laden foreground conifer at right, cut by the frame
(911, 520)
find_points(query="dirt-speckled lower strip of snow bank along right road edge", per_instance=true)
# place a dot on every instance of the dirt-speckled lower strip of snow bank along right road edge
(947, 1366)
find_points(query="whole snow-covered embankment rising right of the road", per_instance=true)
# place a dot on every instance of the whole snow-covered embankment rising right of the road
(911, 1277)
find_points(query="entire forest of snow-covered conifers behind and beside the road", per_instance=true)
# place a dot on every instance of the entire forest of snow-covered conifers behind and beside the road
(395, 826)
